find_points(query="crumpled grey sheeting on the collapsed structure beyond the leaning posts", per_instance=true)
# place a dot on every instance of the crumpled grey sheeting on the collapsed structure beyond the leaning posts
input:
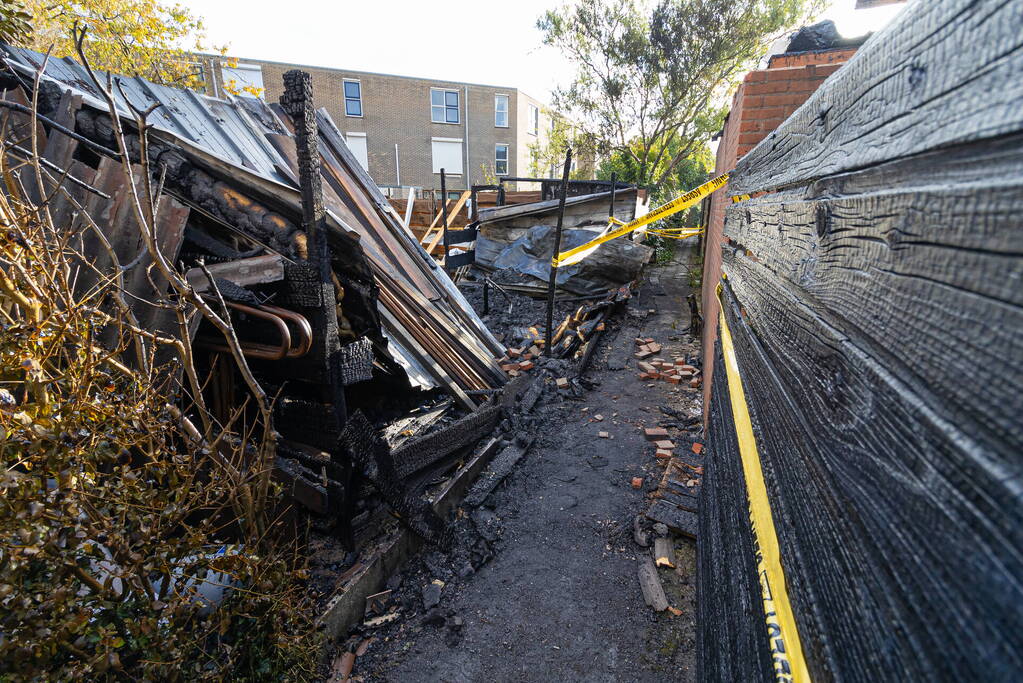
(611, 266)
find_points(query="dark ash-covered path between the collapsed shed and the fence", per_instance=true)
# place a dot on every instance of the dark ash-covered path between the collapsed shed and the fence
(540, 583)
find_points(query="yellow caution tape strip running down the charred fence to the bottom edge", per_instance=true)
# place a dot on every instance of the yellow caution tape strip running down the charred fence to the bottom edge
(787, 653)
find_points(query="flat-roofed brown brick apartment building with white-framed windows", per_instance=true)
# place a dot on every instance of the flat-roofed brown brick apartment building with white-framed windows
(405, 130)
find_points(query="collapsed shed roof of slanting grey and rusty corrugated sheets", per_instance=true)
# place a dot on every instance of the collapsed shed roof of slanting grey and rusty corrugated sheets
(434, 333)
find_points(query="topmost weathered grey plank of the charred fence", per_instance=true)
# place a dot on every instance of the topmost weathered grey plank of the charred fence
(942, 74)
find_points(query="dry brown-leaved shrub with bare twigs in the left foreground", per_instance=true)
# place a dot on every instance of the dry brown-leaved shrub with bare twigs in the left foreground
(134, 543)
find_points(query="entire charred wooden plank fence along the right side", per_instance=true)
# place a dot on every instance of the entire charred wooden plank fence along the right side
(874, 296)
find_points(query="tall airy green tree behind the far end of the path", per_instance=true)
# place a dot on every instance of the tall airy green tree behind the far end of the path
(651, 83)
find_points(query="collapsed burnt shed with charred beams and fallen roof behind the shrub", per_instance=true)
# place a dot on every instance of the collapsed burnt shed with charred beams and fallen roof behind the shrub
(346, 324)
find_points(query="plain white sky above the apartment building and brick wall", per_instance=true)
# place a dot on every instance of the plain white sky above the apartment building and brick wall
(476, 41)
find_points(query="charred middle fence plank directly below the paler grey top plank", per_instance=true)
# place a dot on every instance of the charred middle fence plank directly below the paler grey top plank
(919, 264)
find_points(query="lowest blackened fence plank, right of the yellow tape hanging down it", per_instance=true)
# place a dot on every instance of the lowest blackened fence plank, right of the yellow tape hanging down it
(882, 507)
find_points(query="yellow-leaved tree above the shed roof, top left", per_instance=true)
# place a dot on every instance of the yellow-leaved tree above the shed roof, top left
(144, 38)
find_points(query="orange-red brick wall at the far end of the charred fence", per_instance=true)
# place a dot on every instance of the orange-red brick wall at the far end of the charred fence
(762, 103)
